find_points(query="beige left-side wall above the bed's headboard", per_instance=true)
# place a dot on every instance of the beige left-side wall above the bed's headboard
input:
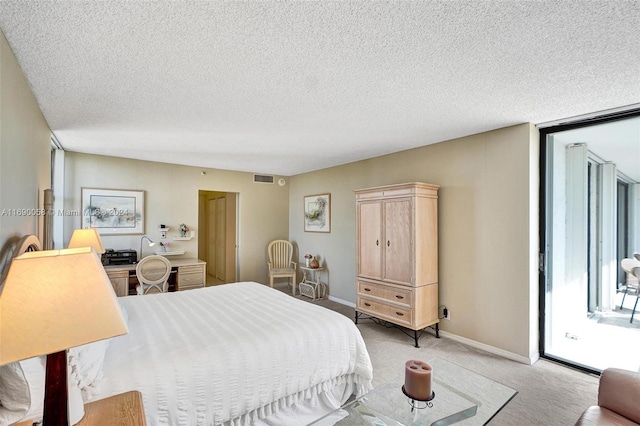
(24, 152)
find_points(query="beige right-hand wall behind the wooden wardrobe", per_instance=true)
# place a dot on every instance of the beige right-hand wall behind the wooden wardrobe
(488, 213)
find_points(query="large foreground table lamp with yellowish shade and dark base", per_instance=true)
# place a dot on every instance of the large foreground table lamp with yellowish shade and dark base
(51, 301)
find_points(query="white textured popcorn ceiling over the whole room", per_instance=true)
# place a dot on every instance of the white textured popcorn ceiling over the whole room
(289, 87)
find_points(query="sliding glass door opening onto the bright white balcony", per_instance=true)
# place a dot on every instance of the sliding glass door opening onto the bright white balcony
(589, 223)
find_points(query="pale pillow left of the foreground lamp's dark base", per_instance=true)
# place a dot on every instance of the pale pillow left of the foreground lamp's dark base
(22, 389)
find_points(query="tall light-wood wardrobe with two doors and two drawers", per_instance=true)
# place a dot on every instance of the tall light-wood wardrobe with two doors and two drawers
(397, 255)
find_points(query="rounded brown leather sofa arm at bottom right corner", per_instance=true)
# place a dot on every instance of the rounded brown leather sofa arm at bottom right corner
(619, 391)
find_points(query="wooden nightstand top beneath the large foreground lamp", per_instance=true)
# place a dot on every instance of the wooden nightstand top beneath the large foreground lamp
(124, 409)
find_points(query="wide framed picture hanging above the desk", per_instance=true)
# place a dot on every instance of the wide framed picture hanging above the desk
(113, 211)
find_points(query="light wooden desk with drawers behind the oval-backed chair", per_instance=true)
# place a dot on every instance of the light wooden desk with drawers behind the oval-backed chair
(189, 274)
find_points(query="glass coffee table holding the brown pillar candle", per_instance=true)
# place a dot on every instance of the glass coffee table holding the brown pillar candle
(459, 395)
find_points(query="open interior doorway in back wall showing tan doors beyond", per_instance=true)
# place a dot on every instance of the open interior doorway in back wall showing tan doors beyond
(218, 235)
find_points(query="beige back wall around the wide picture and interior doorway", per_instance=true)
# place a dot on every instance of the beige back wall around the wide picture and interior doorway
(171, 198)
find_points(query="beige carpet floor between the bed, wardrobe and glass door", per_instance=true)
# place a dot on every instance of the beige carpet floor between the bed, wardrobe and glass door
(548, 393)
